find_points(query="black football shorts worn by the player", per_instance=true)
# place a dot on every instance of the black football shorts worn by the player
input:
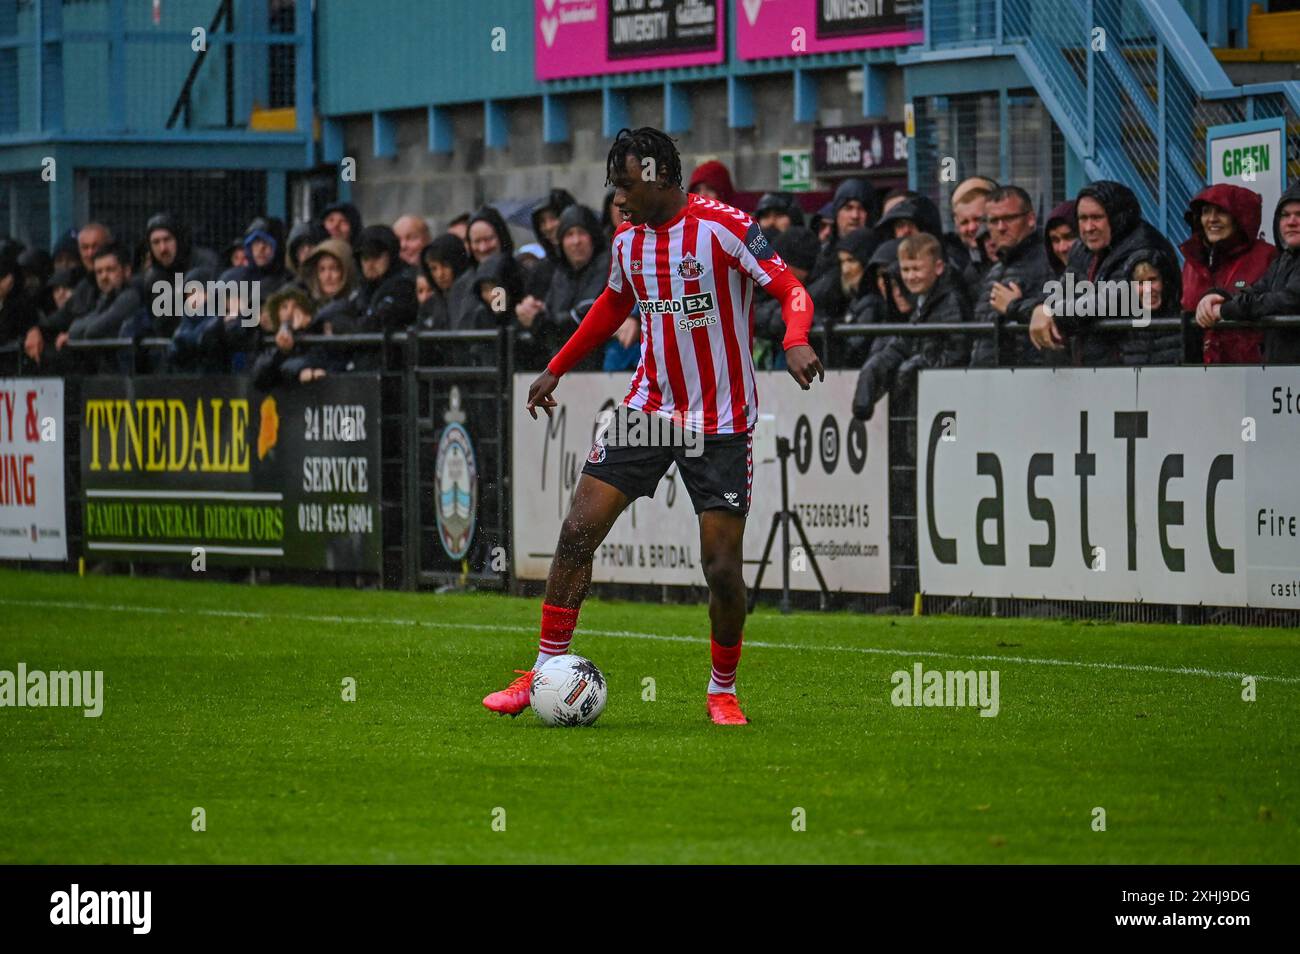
(718, 470)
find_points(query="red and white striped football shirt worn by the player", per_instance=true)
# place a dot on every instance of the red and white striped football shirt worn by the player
(694, 284)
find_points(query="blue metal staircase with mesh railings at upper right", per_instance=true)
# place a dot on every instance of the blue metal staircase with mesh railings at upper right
(1130, 84)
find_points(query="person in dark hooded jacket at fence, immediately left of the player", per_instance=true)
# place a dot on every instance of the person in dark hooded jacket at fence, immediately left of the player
(578, 283)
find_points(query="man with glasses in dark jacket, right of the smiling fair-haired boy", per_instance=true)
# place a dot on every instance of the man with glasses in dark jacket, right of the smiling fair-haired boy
(1020, 270)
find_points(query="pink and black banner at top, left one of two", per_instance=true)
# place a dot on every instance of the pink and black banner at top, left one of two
(587, 38)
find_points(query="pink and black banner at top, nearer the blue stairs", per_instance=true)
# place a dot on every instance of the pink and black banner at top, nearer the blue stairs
(790, 28)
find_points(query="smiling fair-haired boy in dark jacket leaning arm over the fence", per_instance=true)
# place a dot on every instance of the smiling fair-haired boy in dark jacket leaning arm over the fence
(895, 362)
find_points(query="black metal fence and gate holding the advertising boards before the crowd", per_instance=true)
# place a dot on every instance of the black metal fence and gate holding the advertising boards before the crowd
(431, 379)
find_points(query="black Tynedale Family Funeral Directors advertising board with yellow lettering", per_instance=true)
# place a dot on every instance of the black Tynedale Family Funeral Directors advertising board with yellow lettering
(175, 467)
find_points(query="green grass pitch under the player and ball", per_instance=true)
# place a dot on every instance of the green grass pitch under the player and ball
(229, 699)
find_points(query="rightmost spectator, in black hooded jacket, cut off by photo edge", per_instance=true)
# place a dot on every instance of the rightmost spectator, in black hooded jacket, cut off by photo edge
(1277, 293)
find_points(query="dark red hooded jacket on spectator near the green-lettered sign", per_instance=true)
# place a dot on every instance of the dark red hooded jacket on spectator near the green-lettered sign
(1228, 268)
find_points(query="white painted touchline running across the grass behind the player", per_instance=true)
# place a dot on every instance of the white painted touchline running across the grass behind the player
(658, 638)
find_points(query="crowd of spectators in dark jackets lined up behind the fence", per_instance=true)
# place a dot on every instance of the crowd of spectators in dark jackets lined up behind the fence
(866, 258)
